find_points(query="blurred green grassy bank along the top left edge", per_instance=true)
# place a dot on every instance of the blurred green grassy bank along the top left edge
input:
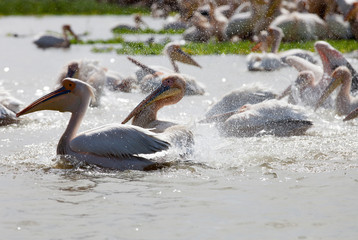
(69, 7)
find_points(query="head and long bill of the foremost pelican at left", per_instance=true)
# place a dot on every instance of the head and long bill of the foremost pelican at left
(67, 98)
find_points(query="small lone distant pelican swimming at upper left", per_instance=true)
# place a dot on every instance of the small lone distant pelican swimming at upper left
(47, 41)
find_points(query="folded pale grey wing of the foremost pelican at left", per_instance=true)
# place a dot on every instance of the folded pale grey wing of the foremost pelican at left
(118, 140)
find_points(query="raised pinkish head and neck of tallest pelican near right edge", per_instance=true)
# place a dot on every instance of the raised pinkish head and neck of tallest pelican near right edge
(332, 58)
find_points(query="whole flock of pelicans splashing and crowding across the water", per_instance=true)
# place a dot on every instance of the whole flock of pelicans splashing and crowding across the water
(250, 110)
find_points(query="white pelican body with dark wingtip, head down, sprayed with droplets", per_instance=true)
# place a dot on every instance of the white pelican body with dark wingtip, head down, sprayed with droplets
(271, 117)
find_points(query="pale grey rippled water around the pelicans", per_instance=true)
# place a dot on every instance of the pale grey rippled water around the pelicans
(248, 188)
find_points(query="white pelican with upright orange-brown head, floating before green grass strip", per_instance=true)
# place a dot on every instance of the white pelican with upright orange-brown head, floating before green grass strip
(273, 60)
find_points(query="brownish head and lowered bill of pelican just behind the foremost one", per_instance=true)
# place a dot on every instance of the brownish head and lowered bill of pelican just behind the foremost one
(170, 91)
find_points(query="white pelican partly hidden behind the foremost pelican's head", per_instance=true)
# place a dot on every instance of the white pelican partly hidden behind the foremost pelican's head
(88, 71)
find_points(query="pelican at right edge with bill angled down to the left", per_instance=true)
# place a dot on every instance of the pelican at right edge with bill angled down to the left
(345, 102)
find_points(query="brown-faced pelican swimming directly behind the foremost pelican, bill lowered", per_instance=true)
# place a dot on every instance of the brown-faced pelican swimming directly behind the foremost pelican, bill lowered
(144, 115)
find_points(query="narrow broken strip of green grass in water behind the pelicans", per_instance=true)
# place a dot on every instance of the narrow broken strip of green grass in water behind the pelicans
(211, 48)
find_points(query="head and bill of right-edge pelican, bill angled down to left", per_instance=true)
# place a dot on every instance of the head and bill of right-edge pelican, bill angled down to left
(341, 75)
